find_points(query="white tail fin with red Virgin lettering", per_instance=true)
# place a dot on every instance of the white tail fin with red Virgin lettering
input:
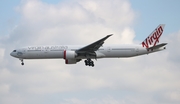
(153, 39)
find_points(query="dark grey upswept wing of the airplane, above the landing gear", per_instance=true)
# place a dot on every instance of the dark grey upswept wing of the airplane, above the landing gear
(93, 47)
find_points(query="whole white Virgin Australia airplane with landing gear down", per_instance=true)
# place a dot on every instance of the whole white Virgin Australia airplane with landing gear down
(74, 54)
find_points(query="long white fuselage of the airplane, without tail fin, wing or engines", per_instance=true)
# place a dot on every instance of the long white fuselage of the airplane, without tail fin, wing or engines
(57, 51)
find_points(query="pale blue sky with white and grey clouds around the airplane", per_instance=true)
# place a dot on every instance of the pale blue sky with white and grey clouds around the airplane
(148, 79)
